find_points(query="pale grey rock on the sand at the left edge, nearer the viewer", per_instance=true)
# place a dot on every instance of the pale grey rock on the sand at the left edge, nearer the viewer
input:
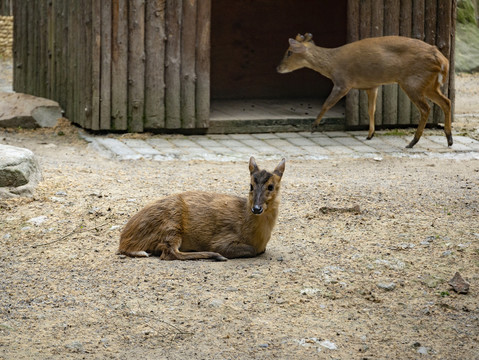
(19, 172)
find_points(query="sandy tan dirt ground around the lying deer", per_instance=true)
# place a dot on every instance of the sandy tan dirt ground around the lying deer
(333, 283)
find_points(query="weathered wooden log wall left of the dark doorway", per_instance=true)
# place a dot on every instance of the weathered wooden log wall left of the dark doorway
(117, 64)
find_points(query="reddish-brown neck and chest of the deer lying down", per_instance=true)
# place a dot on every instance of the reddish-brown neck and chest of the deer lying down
(258, 228)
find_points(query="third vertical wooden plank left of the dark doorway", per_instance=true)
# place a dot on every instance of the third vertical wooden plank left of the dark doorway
(172, 63)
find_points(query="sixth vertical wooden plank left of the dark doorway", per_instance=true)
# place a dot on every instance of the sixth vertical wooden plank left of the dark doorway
(119, 65)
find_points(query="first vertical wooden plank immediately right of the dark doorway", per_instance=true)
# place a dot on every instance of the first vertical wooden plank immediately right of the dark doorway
(352, 99)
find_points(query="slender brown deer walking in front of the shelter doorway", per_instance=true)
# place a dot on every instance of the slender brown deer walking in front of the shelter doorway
(419, 68)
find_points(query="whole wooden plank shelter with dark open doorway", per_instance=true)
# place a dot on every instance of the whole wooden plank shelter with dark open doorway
(161, 65)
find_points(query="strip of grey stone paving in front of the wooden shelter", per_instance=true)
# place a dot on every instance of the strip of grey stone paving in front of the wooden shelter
(303, 145)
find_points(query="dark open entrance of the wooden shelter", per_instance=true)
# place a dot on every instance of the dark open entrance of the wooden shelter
(249, 39)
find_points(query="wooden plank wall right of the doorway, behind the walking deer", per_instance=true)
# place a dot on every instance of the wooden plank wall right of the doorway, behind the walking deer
(432, 21)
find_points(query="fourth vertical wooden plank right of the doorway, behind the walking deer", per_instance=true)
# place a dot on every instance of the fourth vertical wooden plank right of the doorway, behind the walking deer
(390, 91)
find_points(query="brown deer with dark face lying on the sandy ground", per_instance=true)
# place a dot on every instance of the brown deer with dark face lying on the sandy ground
(200, 225)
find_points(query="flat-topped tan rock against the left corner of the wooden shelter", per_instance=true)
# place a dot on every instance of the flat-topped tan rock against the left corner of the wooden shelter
(27, 111)
